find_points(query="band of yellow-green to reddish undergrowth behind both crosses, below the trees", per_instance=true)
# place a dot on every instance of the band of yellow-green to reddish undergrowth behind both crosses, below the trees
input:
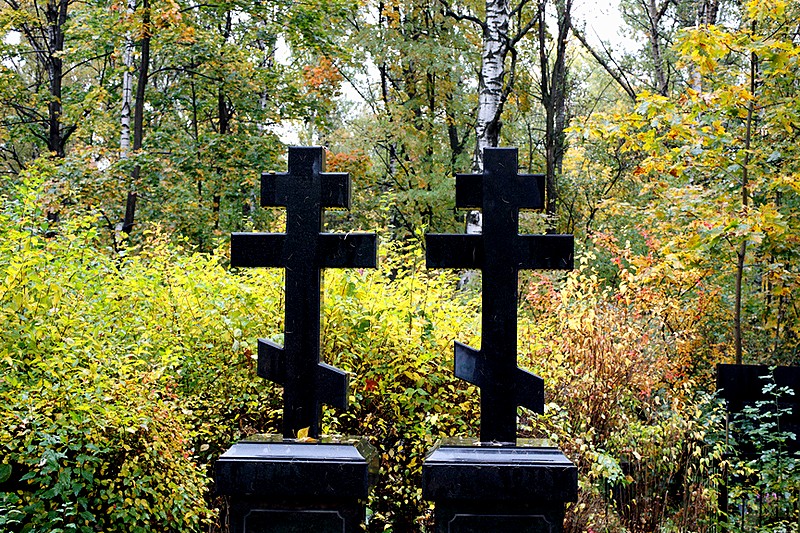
(125, 375)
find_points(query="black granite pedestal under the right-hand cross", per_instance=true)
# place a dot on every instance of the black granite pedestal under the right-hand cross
(486, 488)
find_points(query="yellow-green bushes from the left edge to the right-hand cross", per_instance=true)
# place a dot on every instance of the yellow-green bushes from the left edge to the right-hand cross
(126, 374)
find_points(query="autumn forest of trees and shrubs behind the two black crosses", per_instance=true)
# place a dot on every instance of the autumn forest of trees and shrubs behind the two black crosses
(132, 138)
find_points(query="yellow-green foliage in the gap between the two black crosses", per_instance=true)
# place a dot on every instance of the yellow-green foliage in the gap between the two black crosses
(394, 329)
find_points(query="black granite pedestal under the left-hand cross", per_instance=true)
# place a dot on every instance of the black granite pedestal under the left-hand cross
(286, 486)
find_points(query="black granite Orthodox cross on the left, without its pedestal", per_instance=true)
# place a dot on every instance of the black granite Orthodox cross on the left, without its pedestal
(303, 251)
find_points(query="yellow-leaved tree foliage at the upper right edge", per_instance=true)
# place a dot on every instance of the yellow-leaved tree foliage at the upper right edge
(713, 172)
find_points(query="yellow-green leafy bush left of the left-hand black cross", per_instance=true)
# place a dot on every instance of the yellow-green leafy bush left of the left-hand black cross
(122, 374)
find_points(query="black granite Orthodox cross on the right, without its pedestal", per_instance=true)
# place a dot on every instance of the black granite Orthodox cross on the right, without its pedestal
(500, 252)
